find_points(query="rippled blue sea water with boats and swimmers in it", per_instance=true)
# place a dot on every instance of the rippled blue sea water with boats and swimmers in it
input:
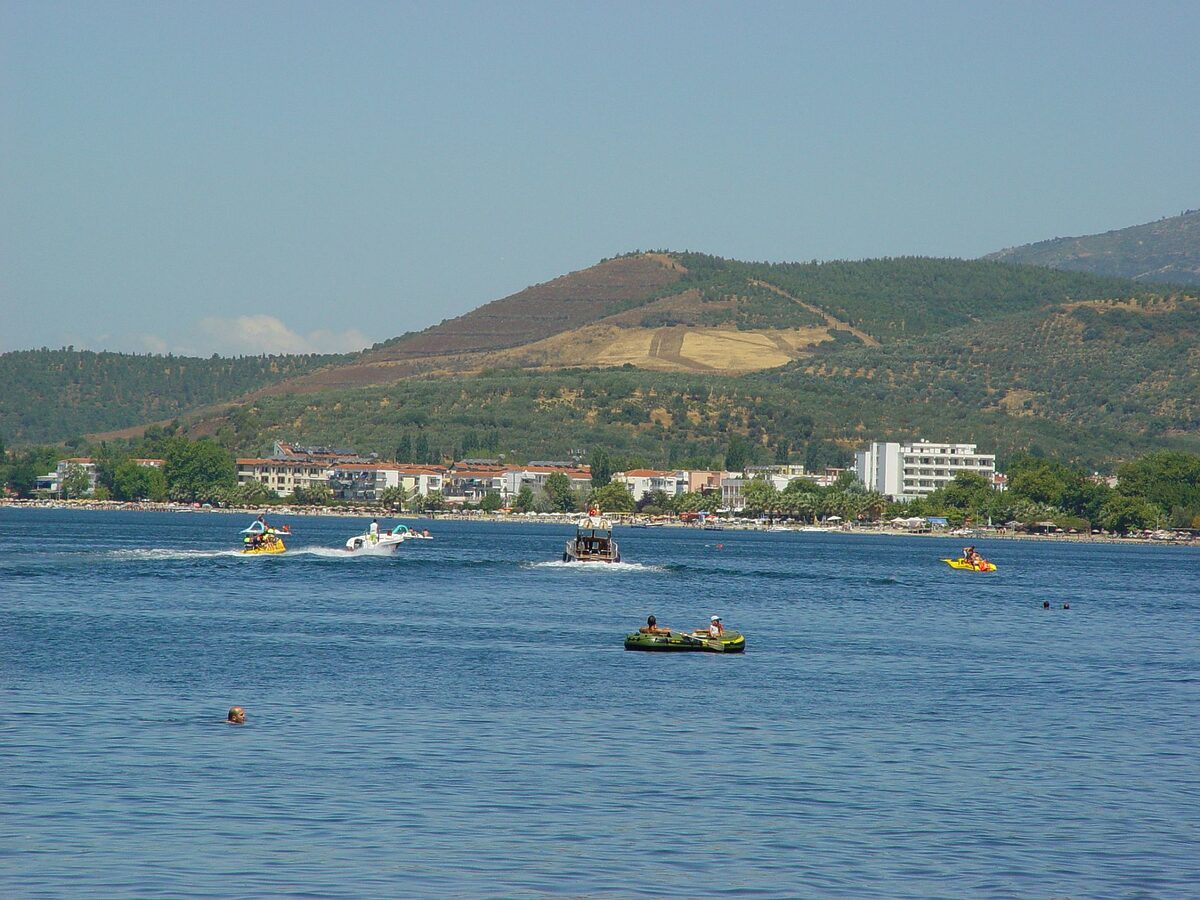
(460, 719)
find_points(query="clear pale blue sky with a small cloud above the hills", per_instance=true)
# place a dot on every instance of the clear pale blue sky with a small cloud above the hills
(299, 177)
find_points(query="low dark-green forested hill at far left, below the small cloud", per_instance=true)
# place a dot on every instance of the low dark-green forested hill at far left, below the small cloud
(53, 395)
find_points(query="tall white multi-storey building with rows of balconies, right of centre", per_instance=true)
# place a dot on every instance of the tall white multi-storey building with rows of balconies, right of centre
(907, 472)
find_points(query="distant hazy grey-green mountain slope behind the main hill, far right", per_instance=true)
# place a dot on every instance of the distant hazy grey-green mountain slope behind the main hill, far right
(1167, 251)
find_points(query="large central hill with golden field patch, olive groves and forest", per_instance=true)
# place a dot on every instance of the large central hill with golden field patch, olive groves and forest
(667, 356)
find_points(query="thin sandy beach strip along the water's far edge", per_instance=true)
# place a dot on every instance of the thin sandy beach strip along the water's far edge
(566, 519)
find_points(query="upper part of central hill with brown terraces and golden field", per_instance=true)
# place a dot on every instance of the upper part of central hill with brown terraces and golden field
(689, 313)
